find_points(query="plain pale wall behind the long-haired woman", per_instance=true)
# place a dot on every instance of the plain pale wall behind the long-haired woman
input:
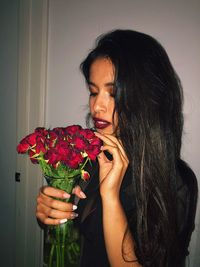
(73, 27)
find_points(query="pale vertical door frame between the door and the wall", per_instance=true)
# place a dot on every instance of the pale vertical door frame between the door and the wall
(32, 72)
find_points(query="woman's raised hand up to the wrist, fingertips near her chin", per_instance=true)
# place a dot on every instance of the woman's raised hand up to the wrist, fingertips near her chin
(111, 172)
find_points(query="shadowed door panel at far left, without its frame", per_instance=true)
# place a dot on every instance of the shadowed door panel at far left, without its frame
(8, 104)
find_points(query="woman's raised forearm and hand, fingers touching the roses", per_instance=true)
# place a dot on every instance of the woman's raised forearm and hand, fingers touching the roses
(114, 218)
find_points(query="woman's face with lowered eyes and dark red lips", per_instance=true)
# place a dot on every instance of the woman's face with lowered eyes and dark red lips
(101, 101)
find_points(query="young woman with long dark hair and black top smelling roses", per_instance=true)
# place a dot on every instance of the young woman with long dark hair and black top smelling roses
(139, 207)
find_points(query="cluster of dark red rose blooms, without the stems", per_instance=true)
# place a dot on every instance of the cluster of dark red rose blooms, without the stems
(67, 146)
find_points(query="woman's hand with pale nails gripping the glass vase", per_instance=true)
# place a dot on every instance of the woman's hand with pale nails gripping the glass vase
(52, 211)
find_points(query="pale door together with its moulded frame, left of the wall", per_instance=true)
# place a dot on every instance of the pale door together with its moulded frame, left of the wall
(23, 48)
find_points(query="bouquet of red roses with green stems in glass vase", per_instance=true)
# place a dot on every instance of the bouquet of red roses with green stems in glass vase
(62, 153)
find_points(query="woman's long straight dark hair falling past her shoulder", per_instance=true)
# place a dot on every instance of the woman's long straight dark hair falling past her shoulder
(148, 101)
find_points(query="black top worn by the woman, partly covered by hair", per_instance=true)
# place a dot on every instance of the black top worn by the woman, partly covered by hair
(90, 213)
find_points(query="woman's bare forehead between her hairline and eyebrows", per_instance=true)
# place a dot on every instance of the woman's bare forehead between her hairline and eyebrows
(101, 69)
